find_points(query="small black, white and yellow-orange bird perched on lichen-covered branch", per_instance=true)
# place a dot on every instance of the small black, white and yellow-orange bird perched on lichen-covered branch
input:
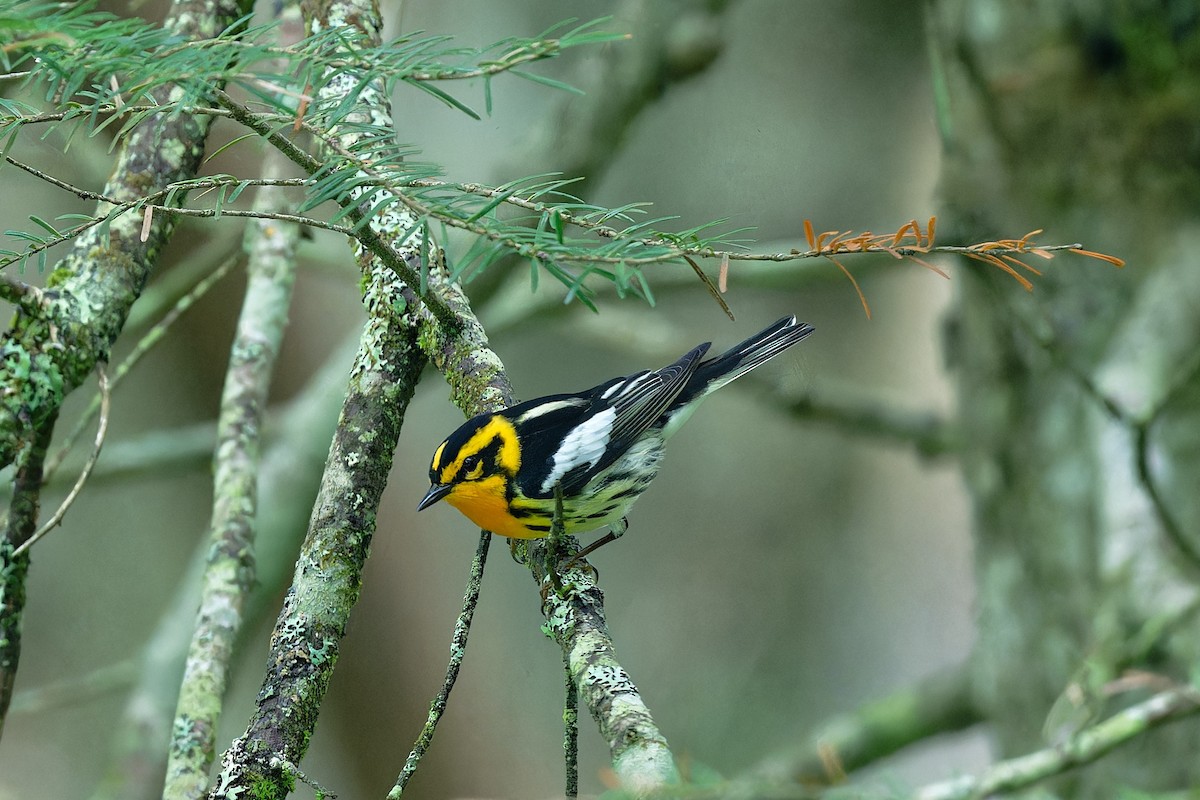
(601, 448)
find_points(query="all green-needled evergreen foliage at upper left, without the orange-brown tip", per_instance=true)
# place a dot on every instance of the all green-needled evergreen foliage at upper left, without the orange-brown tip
(97, 73)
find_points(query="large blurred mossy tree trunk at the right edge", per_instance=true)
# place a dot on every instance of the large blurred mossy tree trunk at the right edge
(1081, 398)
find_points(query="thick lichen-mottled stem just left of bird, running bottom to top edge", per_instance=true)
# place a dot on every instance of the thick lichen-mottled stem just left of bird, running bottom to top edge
(326, 586)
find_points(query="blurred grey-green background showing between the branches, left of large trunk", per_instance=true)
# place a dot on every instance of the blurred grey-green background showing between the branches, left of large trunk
(778, 573)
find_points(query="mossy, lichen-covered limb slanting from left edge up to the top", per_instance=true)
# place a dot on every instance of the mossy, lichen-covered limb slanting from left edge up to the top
(58, 336)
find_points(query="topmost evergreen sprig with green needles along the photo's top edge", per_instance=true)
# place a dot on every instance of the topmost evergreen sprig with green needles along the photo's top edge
(93, 59)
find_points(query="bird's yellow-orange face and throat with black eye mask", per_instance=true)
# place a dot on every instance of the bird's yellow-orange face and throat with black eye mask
(473, 472)
